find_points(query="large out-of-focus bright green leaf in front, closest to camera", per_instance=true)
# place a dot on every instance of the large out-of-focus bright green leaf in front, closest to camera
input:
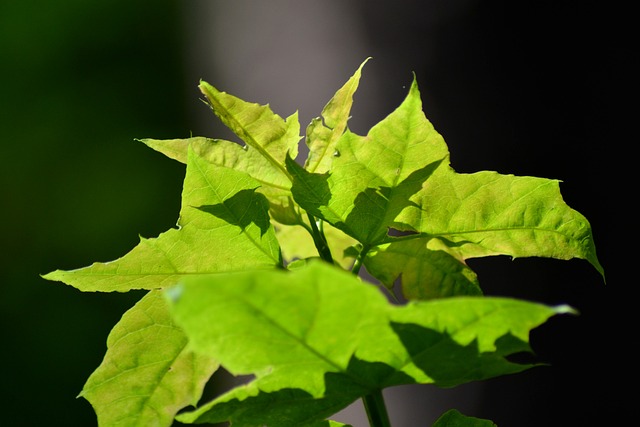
(317, 338)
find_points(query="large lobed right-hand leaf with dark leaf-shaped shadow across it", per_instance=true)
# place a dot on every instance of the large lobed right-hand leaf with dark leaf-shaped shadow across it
(399, 177)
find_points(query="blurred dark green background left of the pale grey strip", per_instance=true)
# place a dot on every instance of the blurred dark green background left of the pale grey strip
(79, 81)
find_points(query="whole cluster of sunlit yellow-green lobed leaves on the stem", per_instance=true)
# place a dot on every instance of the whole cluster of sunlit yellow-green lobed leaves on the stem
(260, 276)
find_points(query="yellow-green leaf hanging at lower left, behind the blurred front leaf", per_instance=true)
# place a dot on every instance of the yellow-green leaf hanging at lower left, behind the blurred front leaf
(147, 374)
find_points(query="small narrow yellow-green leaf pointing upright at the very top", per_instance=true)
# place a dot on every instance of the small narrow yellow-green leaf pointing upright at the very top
(322, 136)
